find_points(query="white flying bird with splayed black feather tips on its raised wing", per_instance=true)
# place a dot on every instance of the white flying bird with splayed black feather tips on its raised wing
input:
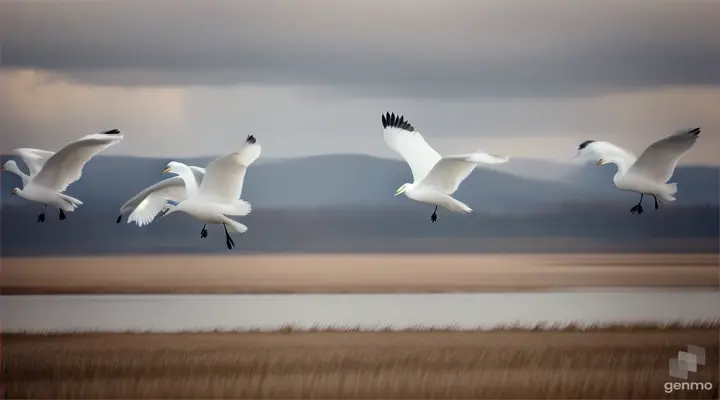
(435, 178)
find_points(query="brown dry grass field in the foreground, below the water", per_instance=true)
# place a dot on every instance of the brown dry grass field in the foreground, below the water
(620, 363)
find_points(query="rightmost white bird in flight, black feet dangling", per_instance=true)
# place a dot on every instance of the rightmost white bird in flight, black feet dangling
(649, 173)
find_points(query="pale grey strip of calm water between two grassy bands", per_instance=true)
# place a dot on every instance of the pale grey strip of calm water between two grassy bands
(164, 313)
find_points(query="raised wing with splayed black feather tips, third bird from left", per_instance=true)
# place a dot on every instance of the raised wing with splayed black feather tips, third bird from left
(401, 137)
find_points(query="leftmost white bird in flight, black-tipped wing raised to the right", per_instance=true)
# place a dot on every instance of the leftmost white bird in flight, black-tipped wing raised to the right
(63, 168)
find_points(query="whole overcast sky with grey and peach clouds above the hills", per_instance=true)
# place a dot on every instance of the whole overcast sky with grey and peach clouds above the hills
(524, 78)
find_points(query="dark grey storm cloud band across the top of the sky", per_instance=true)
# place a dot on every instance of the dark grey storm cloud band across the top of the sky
(391, 48)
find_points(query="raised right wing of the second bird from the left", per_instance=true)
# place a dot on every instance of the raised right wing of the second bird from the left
(224, 177)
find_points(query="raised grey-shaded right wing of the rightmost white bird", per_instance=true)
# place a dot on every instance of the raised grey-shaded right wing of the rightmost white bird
(658, 161)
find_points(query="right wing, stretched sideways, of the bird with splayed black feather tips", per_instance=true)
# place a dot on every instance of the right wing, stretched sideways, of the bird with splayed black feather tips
(447, 175)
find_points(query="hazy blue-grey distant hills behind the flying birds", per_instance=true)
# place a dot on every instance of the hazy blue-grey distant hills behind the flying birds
(345, 203)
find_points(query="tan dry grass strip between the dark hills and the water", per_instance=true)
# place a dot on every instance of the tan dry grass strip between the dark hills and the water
(353, 273)
